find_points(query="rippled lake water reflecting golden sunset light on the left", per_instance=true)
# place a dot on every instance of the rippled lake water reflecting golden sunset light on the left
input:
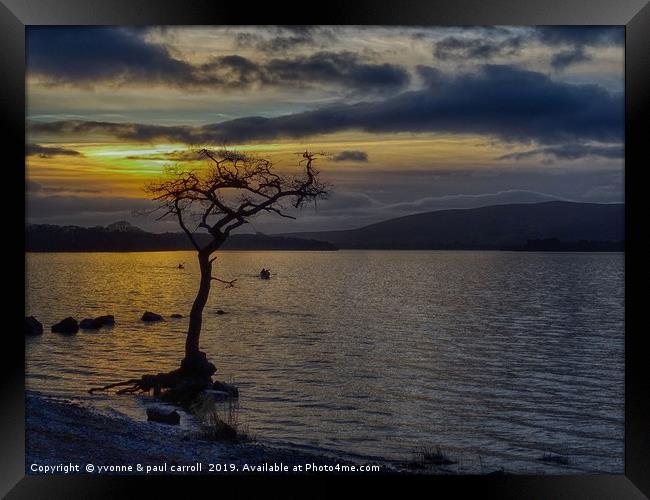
(497, 357)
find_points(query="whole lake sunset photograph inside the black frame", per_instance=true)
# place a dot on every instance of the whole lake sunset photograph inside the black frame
(333, 249)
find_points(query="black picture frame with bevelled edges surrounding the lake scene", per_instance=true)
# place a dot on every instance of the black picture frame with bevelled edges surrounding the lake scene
(634, 14)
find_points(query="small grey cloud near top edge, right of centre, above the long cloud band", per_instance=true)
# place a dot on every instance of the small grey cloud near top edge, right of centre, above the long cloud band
(476, 48)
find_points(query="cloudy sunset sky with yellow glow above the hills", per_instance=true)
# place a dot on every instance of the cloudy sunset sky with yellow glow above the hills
(412, 119)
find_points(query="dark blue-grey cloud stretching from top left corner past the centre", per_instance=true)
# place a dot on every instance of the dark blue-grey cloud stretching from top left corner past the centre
(83, 56)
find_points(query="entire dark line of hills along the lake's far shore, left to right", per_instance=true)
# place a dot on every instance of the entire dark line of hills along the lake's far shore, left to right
(548, 226)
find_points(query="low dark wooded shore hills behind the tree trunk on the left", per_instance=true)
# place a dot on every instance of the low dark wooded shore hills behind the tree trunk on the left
(123, 237)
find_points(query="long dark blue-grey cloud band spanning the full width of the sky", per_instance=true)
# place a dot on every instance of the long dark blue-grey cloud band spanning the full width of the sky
(499, 101)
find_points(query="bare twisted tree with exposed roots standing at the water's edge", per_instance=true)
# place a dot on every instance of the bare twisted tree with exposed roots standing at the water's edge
(215, 201)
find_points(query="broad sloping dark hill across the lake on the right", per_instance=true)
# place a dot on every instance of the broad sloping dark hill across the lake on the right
(491, 228)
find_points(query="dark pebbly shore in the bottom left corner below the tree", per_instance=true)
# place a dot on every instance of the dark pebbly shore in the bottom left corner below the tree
(64, 437)
